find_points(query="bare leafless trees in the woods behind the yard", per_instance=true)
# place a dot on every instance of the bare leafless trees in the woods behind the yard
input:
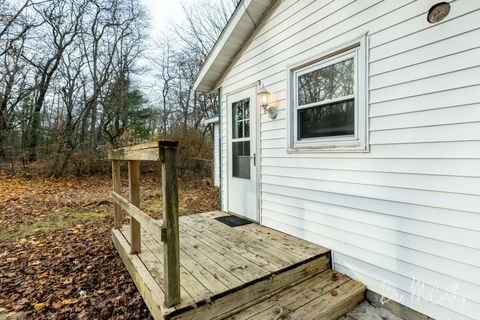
(69, 73)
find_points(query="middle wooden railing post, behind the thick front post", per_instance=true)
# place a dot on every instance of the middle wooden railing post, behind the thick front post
(134, 193)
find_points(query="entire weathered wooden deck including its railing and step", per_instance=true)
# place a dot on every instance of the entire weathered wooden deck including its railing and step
(195, 267)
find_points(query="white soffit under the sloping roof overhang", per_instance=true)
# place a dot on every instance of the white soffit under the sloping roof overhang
(242, 23)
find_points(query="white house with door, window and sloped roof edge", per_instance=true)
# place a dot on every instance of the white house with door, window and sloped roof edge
(370, 144)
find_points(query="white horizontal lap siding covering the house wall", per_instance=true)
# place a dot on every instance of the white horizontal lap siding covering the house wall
(407, 212)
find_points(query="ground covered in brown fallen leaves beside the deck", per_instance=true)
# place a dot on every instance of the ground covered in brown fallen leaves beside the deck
(56, 257)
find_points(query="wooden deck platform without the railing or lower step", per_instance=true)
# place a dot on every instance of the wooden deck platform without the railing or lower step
(223, 269)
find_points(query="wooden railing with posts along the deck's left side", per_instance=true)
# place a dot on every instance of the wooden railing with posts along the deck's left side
(168, 232)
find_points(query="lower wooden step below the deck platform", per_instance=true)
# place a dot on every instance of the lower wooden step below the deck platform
(327, 296)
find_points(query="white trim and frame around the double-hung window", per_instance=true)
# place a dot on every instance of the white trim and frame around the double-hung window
(358, 142)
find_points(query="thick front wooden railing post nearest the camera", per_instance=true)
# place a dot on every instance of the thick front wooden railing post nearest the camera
(170, 233)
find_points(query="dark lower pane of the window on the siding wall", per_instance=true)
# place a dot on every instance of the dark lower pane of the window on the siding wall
(334, 119)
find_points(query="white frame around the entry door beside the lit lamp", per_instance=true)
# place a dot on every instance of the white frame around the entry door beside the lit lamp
(257, 167)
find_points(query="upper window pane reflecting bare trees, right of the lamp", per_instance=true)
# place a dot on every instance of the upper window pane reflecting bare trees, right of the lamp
(333, 81)
